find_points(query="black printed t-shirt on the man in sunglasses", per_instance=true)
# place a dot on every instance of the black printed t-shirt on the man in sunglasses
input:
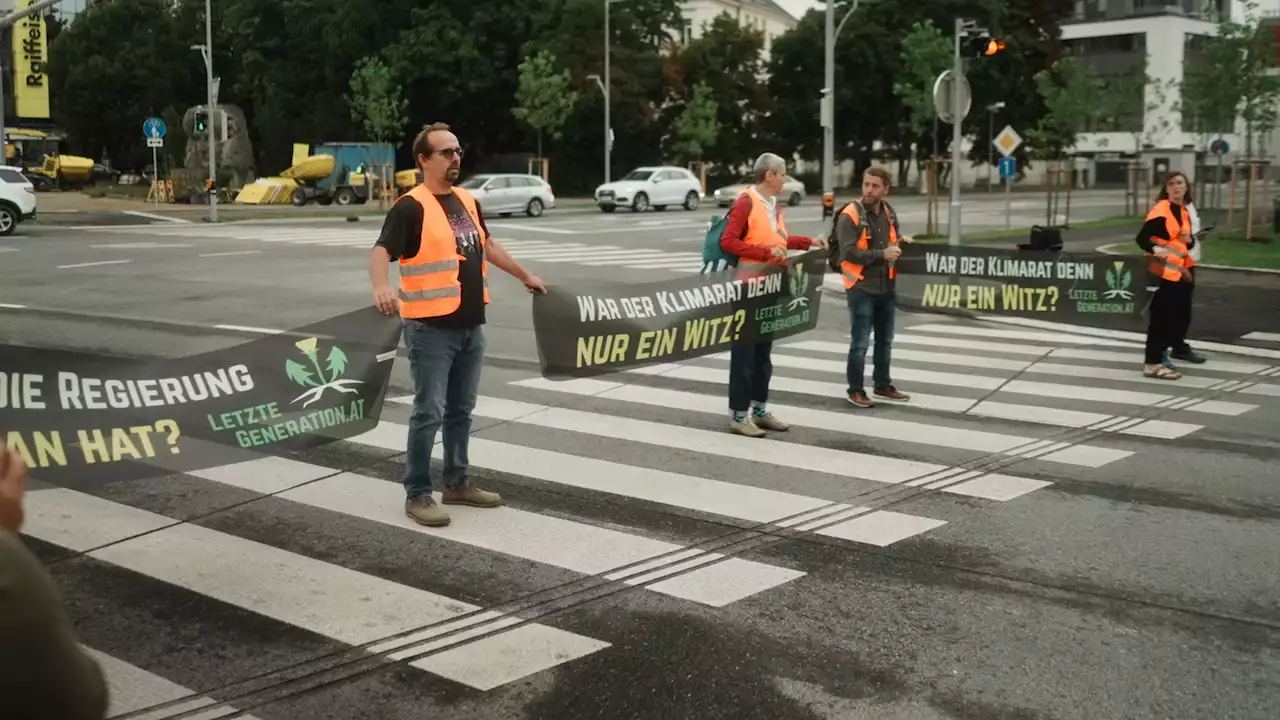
(403, 235)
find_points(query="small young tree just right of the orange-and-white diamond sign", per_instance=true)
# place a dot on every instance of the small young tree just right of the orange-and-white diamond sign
(1072, 95)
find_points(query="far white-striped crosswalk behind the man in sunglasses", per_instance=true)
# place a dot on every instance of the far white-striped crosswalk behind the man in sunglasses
(527, 250)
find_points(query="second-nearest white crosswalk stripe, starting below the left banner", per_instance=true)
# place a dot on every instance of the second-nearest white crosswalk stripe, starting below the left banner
(319, 598)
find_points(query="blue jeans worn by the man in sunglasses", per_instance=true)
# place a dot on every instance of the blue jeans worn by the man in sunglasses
(446, 368)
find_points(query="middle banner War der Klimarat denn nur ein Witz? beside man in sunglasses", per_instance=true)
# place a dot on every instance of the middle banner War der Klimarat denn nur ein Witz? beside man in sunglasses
(589, 331)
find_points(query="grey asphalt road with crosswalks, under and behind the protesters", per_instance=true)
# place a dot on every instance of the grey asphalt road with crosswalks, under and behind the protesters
(1108, 557)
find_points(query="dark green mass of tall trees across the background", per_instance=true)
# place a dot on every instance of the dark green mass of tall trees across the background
(458, 63)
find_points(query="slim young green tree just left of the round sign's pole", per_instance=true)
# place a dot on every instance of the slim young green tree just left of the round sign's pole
(926, 53)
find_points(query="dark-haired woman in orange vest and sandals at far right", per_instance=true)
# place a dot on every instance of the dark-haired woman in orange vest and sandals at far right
(1168, 241)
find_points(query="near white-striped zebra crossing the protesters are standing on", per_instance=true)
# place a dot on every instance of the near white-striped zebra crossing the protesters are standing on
(589, 467)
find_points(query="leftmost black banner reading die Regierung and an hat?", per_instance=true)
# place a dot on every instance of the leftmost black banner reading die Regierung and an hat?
(85, 417)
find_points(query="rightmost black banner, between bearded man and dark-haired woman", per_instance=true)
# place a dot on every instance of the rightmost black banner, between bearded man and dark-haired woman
(1072, 288)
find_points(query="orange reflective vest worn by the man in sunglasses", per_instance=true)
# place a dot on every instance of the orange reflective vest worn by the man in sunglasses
(429, 285)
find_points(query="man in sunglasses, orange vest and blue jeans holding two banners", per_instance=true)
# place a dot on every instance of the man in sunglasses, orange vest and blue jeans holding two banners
(438, 236)
